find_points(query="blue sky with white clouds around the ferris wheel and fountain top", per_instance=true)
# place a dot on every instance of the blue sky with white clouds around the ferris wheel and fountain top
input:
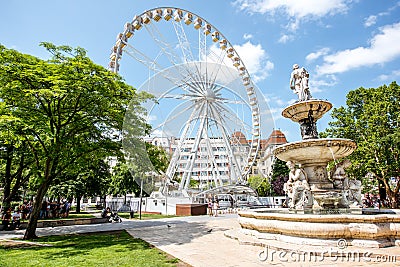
(343, 44)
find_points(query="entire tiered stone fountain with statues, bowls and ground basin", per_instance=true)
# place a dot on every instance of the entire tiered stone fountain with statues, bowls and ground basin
(322, 208)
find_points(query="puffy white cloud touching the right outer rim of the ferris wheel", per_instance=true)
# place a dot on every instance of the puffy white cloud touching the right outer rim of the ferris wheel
(255, 59)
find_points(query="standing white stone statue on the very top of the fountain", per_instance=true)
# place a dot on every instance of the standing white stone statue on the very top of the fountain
(299, 83)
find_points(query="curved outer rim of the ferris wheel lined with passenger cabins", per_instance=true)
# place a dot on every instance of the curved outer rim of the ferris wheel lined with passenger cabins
(162, 14)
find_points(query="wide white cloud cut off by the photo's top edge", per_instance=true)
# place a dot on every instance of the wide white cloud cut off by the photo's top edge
(295, 9)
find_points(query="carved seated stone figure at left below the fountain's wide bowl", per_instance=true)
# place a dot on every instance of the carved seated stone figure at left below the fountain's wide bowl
(297, 187)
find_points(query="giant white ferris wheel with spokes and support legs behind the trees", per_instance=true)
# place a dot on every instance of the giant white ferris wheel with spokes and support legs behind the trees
(207, 109)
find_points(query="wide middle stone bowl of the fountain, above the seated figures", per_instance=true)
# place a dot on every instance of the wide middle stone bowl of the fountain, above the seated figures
(314, 151)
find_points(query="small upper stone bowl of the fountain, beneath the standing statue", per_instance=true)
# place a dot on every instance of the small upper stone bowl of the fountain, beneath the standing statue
(304, 109)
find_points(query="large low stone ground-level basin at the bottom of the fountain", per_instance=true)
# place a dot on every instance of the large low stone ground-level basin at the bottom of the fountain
(379, 230)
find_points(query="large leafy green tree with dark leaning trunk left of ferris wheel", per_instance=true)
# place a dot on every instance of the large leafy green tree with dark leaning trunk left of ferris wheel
(66, 108)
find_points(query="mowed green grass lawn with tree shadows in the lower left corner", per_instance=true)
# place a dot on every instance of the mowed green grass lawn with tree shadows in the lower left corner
(116, 248)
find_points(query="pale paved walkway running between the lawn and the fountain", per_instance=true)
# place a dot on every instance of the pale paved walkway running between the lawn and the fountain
(203, 241)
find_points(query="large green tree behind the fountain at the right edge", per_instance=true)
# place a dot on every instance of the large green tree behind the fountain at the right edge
(371, 118)
